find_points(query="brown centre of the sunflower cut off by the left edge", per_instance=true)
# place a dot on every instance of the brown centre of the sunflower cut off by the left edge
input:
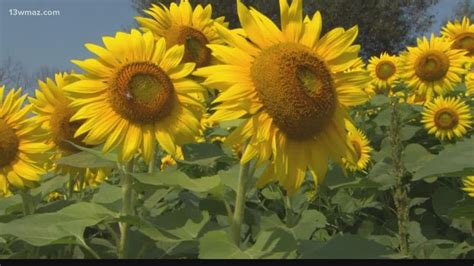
(9, 144)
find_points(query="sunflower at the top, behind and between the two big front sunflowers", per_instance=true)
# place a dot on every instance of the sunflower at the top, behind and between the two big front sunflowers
(180, 24)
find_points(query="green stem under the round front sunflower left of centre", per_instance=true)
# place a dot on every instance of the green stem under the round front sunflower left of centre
(127, 207)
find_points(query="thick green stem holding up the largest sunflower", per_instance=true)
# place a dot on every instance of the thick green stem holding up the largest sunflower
(236, 226)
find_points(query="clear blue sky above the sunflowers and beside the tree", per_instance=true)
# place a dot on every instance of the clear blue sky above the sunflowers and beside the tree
(54, 40)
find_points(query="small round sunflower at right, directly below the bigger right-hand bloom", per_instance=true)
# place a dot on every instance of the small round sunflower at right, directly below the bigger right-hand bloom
(446, 117)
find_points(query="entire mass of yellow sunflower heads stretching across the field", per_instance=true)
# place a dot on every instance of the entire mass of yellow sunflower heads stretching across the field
(291, 86)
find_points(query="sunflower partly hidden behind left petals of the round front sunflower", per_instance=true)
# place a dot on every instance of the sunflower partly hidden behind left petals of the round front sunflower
(53, 113)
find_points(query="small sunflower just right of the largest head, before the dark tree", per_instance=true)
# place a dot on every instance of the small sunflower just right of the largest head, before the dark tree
(384, 71)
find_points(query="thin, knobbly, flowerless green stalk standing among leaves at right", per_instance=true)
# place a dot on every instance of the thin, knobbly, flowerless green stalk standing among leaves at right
(400, 193)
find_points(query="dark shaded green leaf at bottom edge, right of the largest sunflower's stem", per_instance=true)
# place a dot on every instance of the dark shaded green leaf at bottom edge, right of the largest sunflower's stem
(348, 247)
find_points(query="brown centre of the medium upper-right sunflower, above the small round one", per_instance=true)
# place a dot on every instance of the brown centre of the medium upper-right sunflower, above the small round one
(432, 66)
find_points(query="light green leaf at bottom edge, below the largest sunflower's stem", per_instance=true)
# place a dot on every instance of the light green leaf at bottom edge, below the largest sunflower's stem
(218, 245)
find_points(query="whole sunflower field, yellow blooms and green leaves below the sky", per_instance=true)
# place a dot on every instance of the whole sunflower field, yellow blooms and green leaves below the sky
(188, 139)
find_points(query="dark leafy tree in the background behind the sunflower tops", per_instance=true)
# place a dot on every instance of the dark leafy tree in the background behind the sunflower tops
(384, 25)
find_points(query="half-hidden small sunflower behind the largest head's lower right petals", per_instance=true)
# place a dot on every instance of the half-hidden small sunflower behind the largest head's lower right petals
(362, 147)
